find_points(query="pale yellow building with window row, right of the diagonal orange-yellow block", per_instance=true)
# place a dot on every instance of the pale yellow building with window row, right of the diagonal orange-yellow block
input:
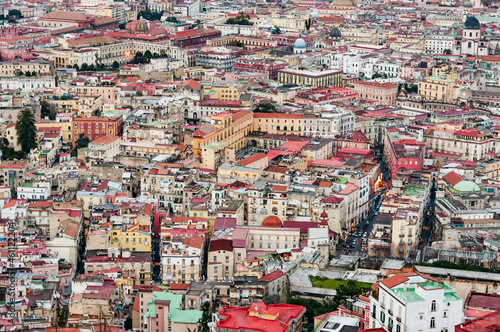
(278, 123)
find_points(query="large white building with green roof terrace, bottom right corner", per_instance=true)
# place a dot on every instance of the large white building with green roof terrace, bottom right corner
(412, 302)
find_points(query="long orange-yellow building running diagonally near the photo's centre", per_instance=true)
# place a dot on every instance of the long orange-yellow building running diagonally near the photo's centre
(228, 128)
